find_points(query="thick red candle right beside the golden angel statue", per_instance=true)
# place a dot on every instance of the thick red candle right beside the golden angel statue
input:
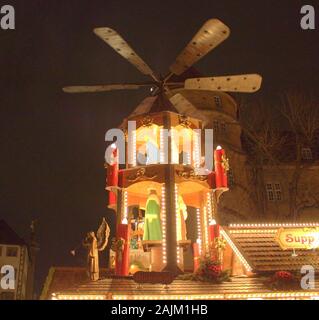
(122, 255)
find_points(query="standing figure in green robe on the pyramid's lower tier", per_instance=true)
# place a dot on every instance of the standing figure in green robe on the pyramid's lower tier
(152, 225)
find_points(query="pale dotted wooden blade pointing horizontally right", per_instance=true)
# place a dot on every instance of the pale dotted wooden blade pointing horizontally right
(238, 83)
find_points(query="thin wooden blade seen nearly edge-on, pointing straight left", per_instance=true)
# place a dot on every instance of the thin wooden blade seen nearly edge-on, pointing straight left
(102, 88)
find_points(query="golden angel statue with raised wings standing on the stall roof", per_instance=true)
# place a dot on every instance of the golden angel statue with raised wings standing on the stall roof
(94, 244)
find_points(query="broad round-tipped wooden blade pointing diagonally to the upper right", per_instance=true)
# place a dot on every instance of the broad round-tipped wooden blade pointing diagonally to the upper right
(211, 34)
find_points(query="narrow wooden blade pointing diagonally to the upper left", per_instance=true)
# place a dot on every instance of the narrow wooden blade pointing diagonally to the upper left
(114, 40)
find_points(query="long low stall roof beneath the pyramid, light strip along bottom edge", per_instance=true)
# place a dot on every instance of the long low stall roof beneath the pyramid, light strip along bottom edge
(71, 283)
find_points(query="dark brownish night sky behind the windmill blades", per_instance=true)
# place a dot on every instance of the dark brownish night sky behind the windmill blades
(52, 143)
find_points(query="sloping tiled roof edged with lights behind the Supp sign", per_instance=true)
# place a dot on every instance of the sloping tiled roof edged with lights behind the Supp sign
(258, 248)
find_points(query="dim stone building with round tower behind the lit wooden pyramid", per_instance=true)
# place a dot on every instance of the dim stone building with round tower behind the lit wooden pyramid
(242, 203)
